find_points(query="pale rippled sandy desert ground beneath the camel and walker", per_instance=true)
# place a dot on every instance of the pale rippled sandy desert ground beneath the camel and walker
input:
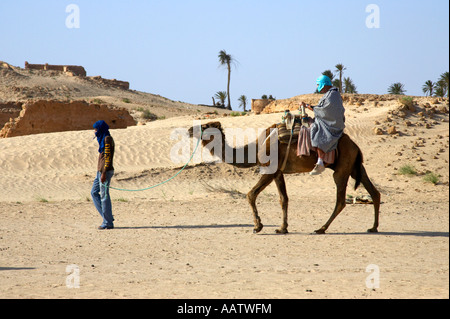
(192, 237)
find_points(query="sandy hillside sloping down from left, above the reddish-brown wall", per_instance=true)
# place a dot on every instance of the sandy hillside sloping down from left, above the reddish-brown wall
(21, 85)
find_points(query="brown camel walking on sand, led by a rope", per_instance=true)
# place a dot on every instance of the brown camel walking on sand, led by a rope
(349, 162)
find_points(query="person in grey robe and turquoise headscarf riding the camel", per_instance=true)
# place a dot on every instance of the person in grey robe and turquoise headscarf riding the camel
(329, 121)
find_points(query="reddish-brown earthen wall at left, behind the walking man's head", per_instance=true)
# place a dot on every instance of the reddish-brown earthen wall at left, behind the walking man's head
(54, 116)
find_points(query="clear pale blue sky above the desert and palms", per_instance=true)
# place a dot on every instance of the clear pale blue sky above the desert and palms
(170, 47)
